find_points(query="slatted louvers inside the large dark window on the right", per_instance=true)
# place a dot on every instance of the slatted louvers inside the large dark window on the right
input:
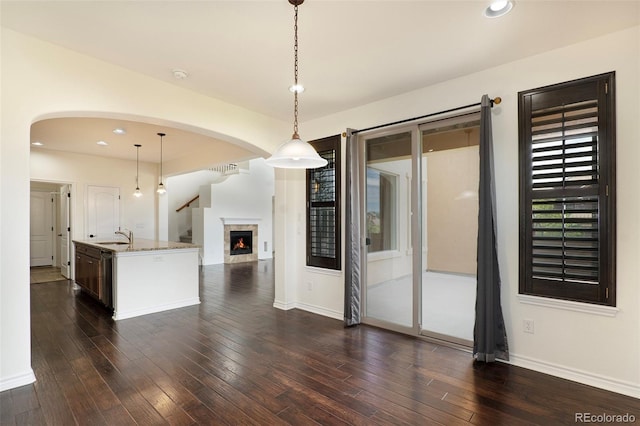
(564, 201)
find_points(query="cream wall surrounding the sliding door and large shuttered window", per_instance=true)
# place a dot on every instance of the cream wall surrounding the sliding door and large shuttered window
(594, 349)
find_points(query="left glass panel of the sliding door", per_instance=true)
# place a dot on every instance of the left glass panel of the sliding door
(389, 285)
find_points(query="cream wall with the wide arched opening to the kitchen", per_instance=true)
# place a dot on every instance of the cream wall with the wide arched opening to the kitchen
(41, 80)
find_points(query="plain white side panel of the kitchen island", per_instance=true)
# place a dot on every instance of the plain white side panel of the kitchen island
(154, 281)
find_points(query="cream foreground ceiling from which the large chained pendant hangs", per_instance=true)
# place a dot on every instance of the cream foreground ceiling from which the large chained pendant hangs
(352, 52)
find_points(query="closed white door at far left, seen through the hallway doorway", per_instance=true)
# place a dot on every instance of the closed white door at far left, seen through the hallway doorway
(41, 230)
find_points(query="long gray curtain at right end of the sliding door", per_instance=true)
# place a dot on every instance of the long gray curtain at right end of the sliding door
(489, 334)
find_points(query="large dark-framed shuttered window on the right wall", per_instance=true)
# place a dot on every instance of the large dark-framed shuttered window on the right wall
(567, 190)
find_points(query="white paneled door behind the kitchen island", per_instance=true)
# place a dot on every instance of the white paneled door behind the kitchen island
(103, 212)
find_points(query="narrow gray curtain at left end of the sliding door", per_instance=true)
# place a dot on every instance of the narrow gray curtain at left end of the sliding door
(352, 234)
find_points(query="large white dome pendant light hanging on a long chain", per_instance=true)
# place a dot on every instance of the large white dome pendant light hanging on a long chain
(296, 153)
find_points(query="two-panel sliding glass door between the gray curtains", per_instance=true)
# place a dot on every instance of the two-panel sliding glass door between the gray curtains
(420, 218)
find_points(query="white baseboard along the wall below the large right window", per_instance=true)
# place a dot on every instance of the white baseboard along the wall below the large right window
(584, 377)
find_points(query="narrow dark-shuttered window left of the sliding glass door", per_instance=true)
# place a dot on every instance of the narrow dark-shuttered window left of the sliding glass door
(323, 207)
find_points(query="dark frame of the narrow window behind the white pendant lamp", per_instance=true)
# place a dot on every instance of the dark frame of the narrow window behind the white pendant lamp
(328, 147)
